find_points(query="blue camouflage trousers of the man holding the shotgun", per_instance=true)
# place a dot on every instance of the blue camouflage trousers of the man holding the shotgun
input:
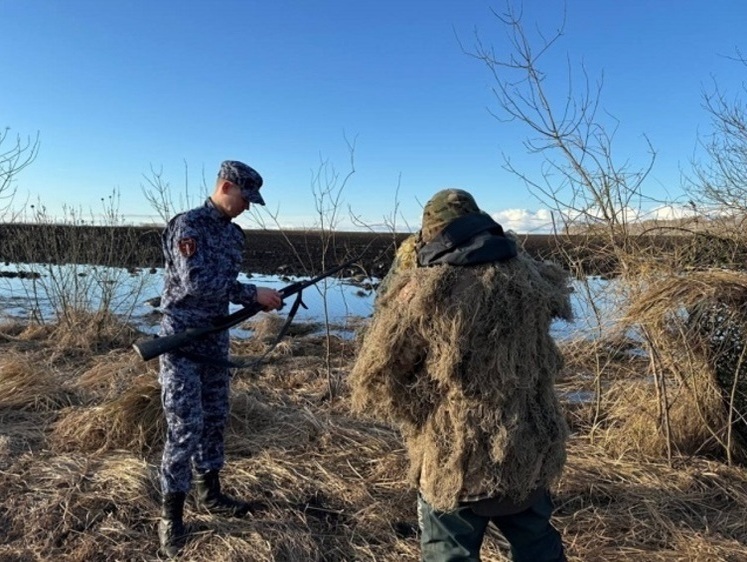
(194, 395)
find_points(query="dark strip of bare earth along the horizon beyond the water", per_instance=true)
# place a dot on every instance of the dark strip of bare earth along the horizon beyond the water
(295, 252)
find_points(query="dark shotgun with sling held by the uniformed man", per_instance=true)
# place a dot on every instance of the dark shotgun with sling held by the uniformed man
(158, 345)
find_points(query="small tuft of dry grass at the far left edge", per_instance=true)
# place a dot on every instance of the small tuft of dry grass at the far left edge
(27, 385)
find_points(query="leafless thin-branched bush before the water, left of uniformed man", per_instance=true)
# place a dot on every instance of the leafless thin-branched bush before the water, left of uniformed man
(74, 261)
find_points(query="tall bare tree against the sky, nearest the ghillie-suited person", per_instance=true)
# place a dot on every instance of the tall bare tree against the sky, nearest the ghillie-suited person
(581, 178)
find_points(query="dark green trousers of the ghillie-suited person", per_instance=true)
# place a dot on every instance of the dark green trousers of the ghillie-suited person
(458, 535)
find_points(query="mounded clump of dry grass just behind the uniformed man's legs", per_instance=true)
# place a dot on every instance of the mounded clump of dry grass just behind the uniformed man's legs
(133, 421)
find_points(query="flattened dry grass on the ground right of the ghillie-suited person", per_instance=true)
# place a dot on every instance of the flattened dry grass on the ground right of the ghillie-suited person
(612, 509)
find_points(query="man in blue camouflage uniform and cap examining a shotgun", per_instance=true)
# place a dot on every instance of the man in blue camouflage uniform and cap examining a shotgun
(203, 252)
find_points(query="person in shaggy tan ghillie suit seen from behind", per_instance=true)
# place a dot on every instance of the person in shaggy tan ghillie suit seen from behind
(459, 356)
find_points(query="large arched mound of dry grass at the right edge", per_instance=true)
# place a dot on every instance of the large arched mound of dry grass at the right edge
(692, 399)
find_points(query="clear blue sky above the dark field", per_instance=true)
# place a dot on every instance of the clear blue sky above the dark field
(114, 88)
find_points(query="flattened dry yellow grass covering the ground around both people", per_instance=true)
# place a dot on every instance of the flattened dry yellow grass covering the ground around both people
(79, 475)
